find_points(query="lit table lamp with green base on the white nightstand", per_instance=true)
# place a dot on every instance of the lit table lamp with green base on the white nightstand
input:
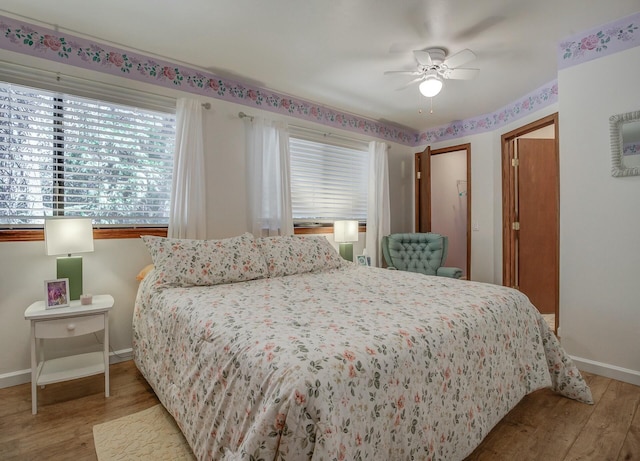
(64, 236)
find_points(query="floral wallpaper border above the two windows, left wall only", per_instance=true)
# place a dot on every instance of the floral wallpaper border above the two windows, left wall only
(61, 47)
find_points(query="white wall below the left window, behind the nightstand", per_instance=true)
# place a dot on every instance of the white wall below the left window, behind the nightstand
(111, 268)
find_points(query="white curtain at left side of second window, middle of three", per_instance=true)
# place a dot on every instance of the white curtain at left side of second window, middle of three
(268, 178)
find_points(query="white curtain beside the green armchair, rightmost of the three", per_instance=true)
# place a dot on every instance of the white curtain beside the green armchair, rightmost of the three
(378, 219)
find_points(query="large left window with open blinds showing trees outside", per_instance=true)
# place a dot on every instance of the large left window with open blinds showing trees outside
(63, 155)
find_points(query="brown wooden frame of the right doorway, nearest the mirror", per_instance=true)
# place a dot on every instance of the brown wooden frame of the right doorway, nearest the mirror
(508, 201)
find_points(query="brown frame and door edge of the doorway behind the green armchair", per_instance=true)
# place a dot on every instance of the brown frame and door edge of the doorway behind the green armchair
(422, 188)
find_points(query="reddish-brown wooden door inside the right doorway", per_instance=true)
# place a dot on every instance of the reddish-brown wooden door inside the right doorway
(537, 212)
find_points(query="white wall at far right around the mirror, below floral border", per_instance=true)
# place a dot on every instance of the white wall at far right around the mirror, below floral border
(599, 220)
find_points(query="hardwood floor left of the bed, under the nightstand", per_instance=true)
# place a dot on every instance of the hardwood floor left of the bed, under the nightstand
(67, 412)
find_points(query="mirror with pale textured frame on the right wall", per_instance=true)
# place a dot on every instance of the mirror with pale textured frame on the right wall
(625, 144)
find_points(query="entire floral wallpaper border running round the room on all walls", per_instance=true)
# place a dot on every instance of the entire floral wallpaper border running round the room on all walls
(42, 42)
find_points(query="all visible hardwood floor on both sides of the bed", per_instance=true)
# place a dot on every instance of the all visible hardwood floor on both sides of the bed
(544, 426)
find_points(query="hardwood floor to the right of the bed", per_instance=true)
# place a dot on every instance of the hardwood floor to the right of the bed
(545, 426)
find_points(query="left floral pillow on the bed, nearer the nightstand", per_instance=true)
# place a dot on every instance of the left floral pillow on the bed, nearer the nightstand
(183, 262)
